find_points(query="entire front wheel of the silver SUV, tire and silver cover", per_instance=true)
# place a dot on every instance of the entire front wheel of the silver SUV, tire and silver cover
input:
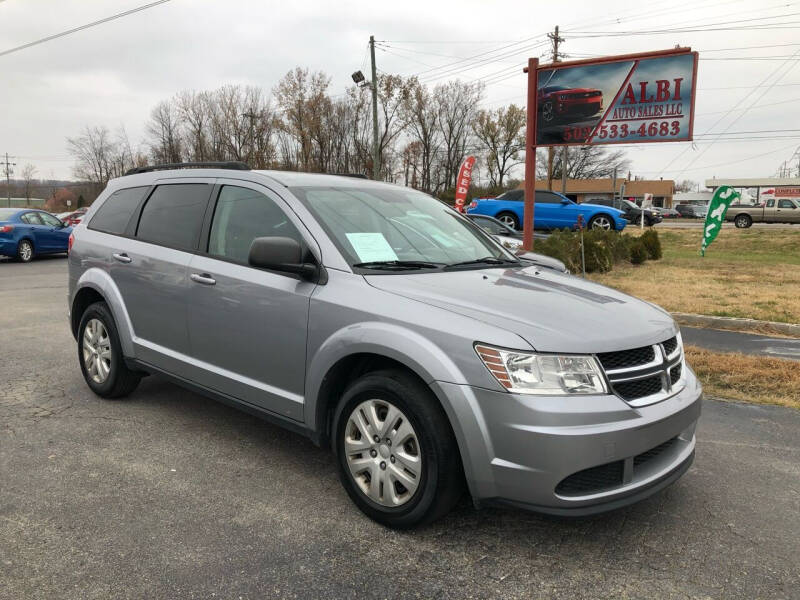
(397, 455)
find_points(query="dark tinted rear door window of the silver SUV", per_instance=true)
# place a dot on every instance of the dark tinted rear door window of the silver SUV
(173, 215)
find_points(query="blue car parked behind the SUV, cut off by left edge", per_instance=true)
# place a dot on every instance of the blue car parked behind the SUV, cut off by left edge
(26, 232)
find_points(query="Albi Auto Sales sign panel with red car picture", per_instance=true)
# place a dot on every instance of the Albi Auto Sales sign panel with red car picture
(617, 100)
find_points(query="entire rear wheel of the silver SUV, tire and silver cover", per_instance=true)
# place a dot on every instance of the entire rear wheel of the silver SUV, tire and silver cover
(100, 354)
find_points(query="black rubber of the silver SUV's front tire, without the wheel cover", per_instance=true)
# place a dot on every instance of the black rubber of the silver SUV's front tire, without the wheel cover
(441, 481)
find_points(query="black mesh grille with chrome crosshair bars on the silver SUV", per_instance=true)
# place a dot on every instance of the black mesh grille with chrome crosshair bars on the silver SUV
(644, 375)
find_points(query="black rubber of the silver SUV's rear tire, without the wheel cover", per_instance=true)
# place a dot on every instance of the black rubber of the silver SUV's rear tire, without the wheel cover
(120, 381)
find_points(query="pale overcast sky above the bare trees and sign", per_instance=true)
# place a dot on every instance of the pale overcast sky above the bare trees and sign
(114, 73)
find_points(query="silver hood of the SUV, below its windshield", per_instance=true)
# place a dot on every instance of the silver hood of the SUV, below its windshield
(551, 311)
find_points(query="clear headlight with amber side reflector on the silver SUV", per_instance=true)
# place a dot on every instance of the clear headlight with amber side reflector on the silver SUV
(543, 374)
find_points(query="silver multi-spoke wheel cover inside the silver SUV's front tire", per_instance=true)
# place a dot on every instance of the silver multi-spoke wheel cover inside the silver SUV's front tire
(383, 453)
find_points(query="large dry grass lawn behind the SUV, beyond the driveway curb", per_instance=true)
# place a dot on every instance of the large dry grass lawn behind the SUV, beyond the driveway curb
(752, 273)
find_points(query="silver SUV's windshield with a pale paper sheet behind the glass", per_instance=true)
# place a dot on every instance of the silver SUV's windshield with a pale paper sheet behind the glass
(399, 228)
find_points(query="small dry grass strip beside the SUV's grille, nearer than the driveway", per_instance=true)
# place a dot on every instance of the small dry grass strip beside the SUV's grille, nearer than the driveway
(753, 379)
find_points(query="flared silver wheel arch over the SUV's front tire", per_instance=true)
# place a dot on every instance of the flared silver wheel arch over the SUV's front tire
(413, 350)
